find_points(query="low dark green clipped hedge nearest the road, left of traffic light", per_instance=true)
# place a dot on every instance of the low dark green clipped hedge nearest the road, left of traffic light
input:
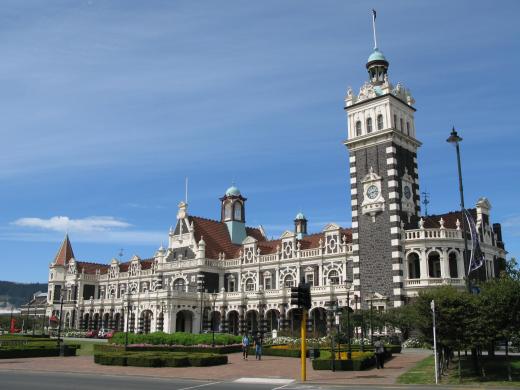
(159, 359)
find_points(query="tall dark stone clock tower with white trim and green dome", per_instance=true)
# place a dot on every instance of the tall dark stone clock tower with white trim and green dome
(384, 181)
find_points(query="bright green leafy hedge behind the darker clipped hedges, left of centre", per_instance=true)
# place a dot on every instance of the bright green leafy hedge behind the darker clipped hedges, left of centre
(178, 338)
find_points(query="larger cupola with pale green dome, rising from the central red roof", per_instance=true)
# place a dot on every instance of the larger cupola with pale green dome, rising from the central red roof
(233, 214)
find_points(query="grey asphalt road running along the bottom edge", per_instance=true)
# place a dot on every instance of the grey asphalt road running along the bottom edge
(57, 381)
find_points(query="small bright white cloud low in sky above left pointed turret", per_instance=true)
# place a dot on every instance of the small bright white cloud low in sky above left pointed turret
(66, 224)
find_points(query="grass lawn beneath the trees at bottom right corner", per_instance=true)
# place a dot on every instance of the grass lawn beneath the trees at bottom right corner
(495, 369)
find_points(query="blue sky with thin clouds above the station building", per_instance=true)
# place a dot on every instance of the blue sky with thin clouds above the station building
(107, 106)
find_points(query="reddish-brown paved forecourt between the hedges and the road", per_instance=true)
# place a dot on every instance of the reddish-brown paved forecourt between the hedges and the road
(269, 368)
